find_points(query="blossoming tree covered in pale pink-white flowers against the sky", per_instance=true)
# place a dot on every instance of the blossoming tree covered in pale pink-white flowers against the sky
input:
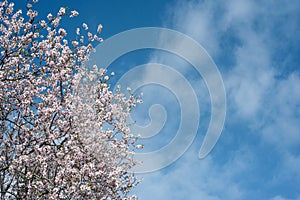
(63, 132)
